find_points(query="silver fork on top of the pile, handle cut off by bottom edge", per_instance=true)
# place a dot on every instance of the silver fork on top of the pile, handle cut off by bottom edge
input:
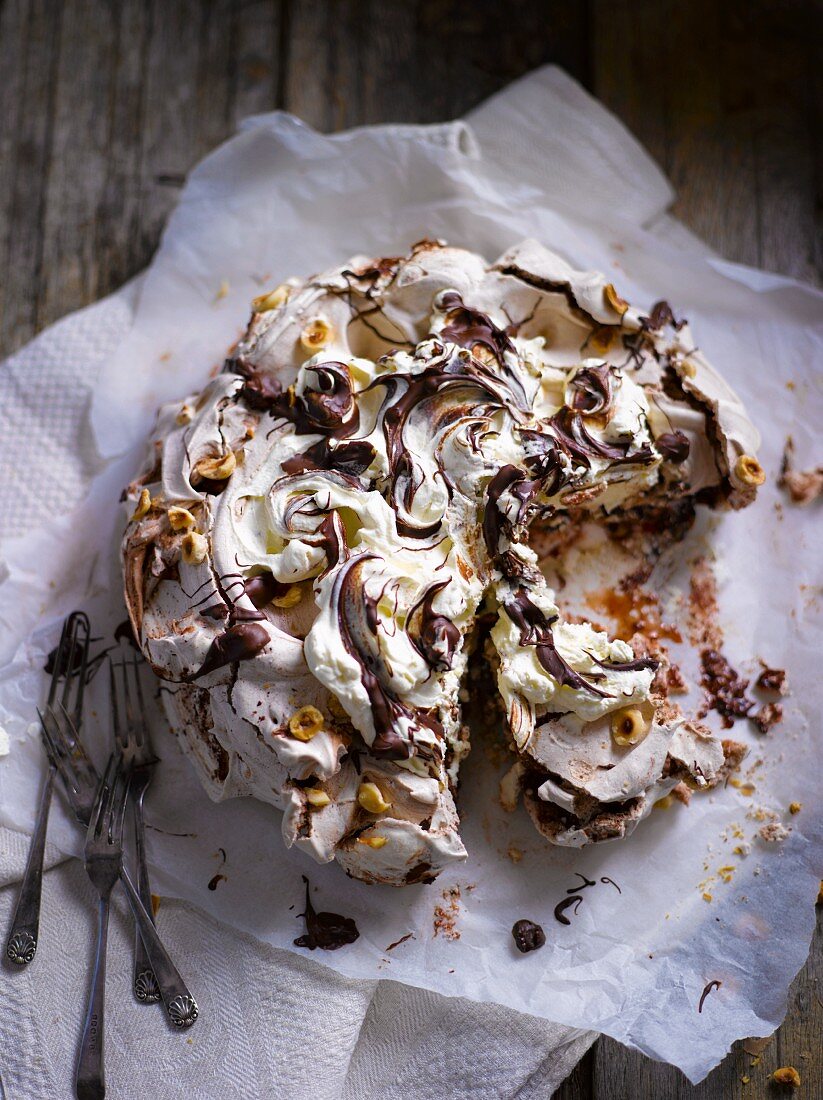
(104, 857)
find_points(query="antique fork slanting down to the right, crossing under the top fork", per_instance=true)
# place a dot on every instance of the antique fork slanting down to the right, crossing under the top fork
(80, 779)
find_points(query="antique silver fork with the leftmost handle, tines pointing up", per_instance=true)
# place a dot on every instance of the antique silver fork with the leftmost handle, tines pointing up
(71, 665)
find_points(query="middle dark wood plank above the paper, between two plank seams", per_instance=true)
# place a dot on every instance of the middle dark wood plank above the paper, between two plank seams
(356, 62)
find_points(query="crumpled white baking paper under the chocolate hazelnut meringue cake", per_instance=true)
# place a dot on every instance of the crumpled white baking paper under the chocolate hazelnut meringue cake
(280, 200)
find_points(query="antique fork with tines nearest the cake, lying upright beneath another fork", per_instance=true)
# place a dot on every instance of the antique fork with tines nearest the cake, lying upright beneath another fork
(131, 736)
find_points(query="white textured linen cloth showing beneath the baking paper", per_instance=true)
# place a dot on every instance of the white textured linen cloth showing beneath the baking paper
(273, 1025)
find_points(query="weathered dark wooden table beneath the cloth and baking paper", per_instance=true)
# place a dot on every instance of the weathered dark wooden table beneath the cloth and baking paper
(105, 106)
